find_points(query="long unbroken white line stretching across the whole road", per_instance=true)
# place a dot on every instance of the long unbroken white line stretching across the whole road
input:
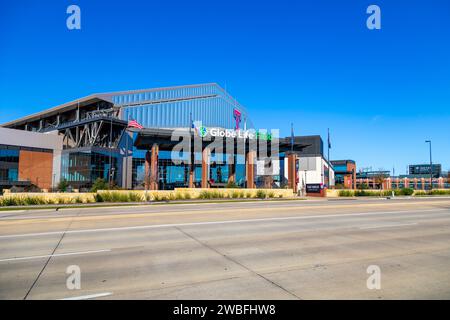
(158, 226)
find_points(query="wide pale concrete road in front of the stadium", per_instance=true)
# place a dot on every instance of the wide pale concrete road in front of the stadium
(254, 250)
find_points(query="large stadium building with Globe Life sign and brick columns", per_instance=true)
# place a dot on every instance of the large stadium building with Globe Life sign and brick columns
(126, 138)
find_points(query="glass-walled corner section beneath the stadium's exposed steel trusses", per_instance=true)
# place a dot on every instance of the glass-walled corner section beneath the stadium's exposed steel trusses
(81, 169)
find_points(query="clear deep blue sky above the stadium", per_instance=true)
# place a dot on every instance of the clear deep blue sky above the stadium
(313, 63)
